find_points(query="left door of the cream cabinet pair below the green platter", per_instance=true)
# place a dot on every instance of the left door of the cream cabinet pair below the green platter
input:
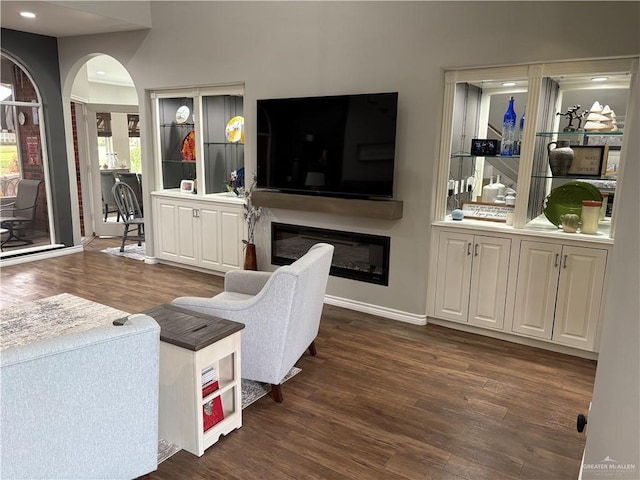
(536, 288)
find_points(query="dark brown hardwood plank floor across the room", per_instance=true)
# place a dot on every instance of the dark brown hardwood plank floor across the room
(381, 400)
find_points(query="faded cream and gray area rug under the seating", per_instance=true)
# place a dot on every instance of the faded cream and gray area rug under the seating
(61, 314)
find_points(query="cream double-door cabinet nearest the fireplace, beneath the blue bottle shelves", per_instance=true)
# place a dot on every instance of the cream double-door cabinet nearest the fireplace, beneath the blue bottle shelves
(472, 278)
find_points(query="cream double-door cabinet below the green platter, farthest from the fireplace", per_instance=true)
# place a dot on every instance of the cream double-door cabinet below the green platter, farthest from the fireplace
(559, 293)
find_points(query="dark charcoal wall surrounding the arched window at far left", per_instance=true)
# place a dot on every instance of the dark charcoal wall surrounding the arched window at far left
(39, 56)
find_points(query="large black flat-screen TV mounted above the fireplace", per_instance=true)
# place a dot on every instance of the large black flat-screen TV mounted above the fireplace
(340, 145)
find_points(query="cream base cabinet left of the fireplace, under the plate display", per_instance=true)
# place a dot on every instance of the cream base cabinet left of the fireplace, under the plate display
(203, 233)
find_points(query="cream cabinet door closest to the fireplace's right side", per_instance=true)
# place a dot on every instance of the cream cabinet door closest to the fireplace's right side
(454, 276)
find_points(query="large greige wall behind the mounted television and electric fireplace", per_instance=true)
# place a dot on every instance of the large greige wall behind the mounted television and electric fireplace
(316, 48)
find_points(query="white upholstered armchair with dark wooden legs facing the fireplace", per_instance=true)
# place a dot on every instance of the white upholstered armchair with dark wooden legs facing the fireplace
(281, 311)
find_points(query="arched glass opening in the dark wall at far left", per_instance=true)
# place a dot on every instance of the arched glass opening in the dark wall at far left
(25, 216)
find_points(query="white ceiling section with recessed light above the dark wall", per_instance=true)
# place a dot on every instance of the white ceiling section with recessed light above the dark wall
(64, 19)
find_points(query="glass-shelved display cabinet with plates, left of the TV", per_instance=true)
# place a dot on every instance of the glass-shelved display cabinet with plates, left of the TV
(199, 136)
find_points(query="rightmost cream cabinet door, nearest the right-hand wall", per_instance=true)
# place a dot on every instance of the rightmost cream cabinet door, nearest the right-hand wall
(579, 296)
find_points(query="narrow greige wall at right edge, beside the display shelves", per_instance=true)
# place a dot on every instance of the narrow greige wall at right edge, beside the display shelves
(614, 424)
